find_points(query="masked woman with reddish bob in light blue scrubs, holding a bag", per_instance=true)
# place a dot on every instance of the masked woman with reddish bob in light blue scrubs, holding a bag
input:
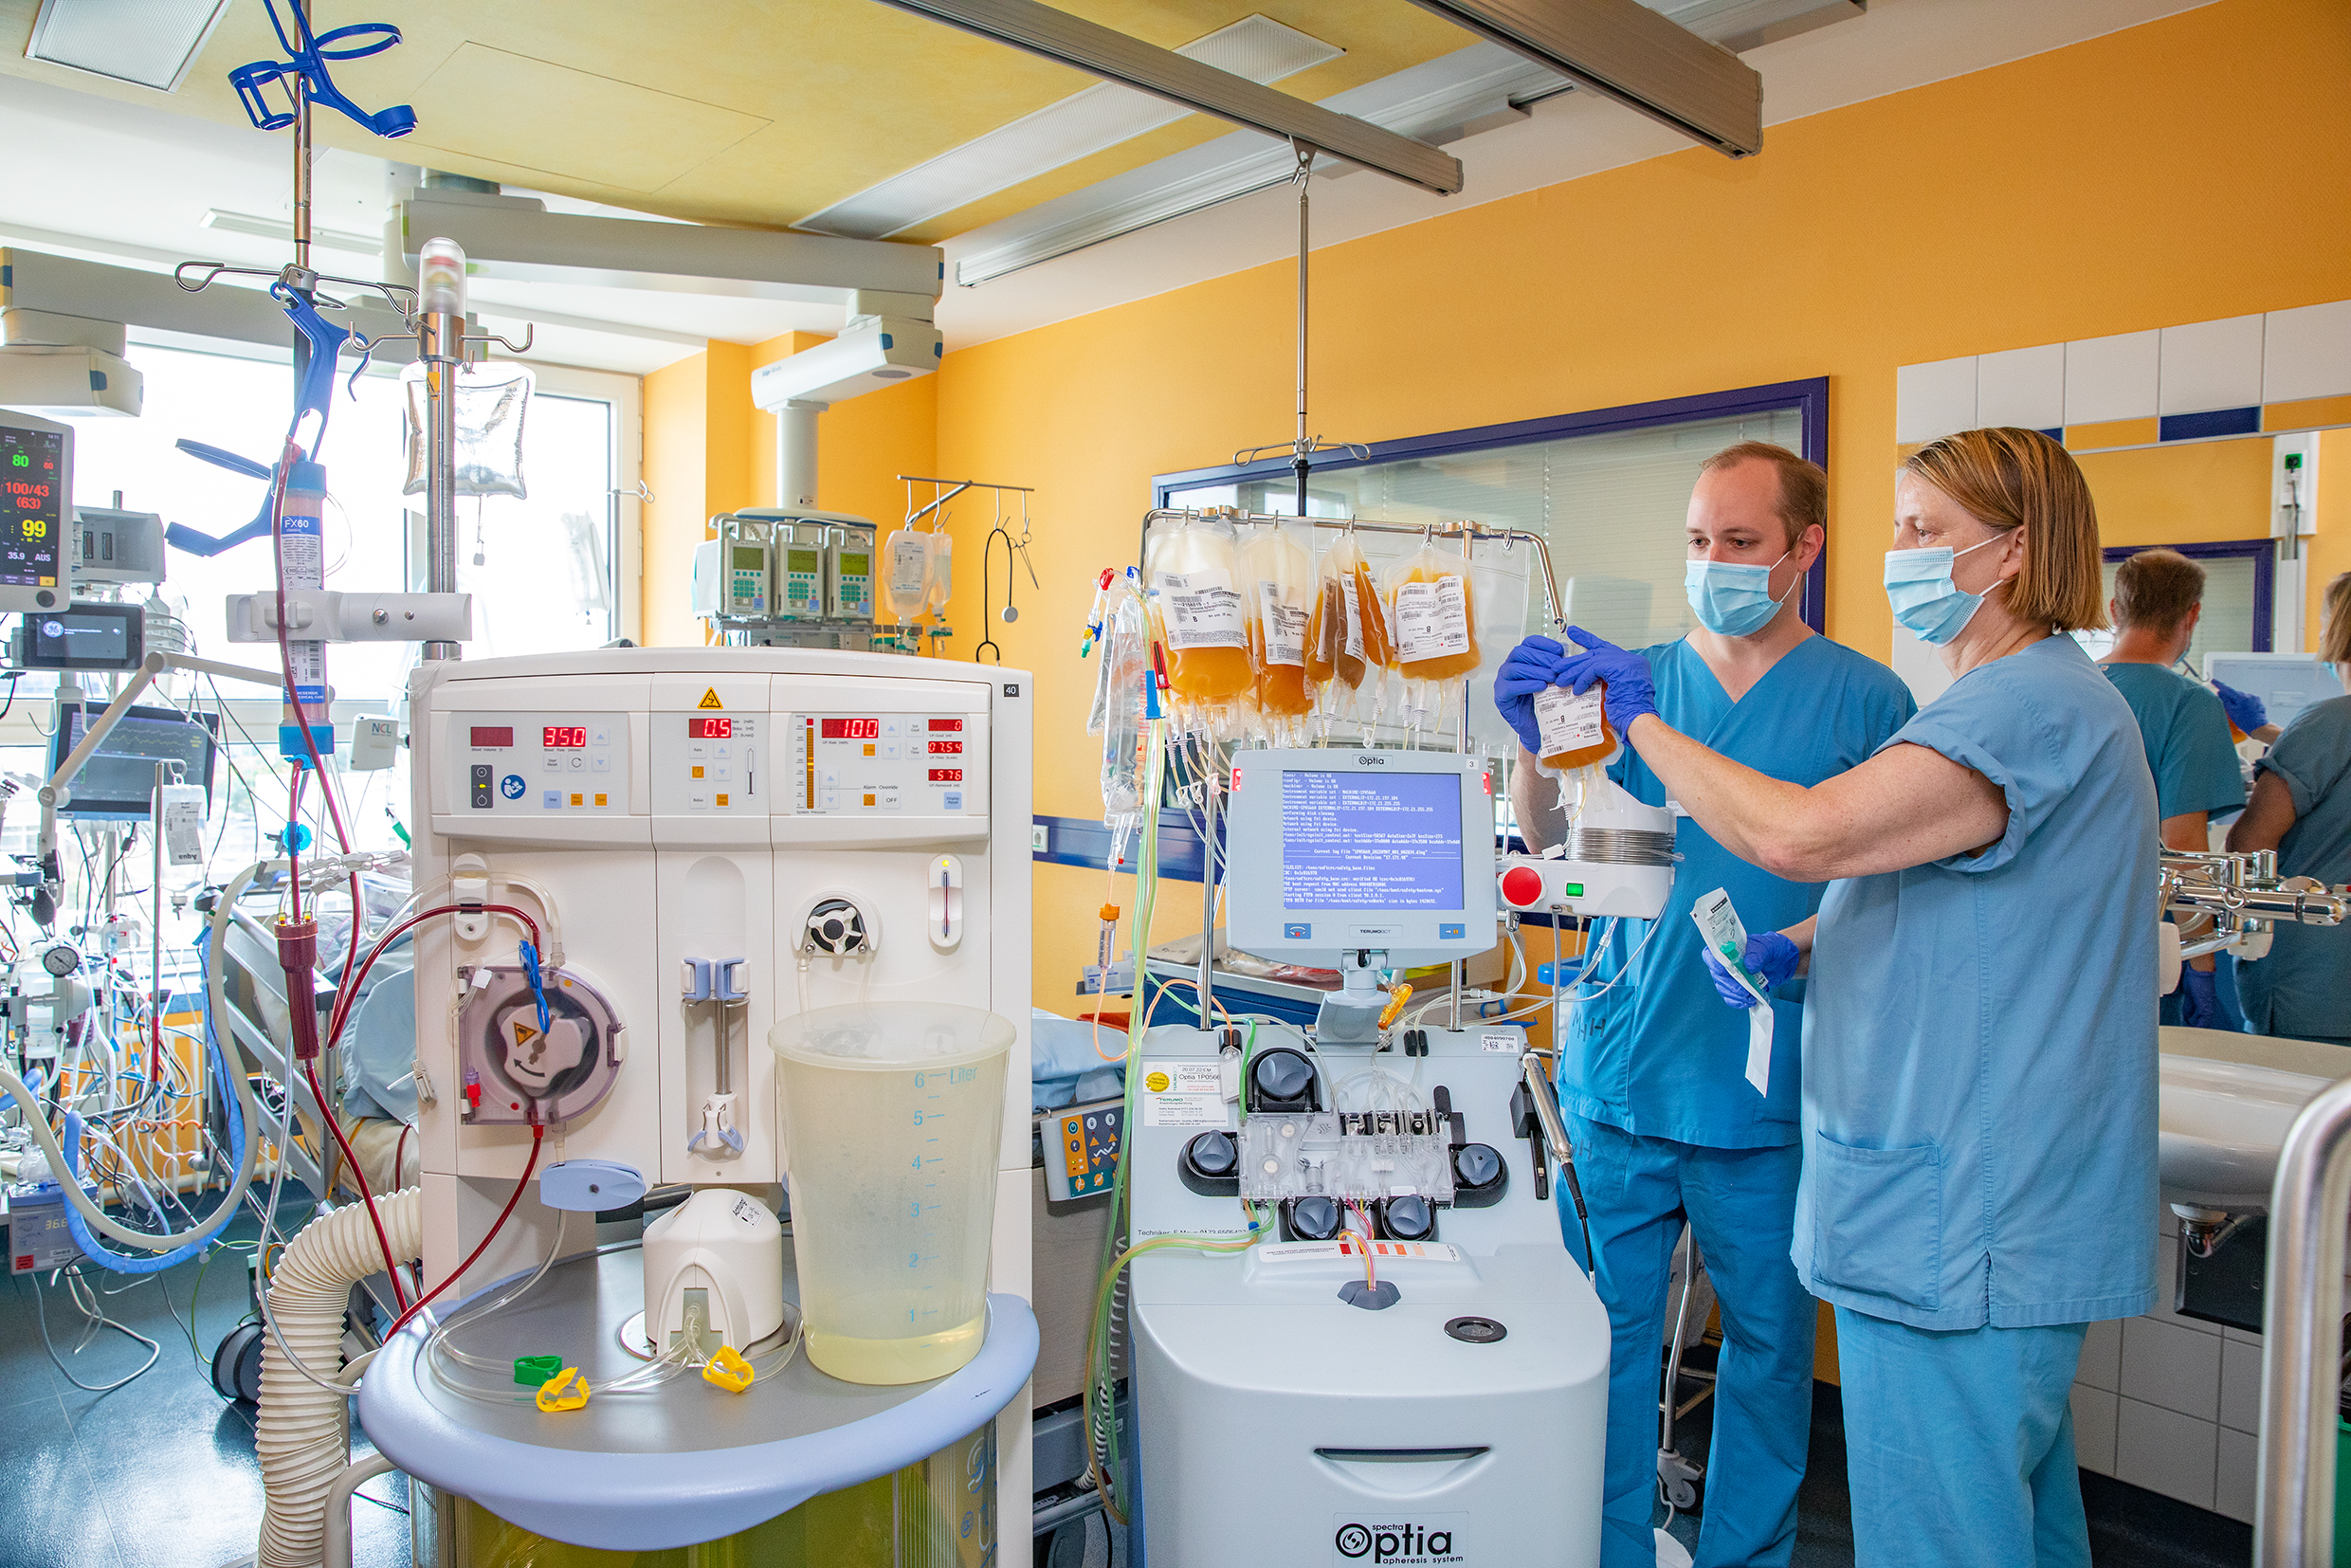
(1981, 1019)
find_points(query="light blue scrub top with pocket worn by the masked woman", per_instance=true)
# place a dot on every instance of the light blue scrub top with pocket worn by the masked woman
(1981, 1033)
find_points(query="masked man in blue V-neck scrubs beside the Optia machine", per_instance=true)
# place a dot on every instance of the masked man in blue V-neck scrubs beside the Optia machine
(1668, 1127)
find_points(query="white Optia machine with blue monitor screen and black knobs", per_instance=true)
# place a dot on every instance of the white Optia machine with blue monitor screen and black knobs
(1414, 1372)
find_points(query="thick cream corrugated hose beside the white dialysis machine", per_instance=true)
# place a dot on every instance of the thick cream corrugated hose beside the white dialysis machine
(302, 1435)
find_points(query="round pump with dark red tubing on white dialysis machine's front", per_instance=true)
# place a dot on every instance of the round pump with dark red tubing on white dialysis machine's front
(528, 1068)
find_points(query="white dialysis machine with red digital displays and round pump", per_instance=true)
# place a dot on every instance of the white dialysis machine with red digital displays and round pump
(711, 840)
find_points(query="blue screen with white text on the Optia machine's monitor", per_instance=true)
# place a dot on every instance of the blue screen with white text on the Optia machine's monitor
(1372, 843)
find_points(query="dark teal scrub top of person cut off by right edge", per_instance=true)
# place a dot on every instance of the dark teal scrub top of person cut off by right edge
(2303, 989)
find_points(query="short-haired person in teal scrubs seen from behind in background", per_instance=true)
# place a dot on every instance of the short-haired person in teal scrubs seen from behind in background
(2157, 603)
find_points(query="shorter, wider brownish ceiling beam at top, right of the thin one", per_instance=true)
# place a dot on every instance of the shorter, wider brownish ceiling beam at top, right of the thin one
(1633, 55)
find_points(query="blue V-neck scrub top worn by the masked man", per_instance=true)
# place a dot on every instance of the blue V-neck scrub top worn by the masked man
(1661, 1057)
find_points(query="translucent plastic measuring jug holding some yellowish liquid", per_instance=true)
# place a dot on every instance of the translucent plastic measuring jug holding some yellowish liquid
(892, 1123)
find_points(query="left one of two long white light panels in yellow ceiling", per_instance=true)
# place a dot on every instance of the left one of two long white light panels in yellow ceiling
(1257, 48)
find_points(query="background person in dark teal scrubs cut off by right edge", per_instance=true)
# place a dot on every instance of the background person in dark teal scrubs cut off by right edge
(2303, 810)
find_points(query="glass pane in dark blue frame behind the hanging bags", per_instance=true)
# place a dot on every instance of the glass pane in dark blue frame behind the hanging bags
(1609, 507)
